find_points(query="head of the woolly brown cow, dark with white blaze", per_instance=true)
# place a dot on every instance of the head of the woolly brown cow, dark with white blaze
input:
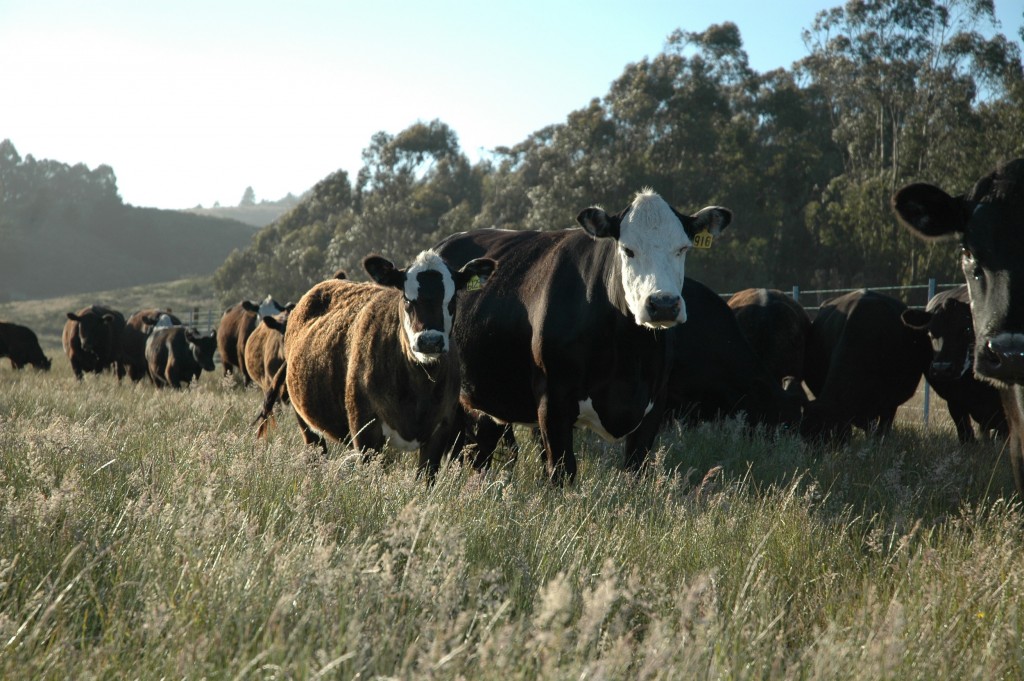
(429, 289)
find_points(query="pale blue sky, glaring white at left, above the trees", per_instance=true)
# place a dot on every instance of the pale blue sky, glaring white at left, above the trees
(192, 102)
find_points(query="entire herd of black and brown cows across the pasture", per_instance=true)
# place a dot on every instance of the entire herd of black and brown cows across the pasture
(599, 327)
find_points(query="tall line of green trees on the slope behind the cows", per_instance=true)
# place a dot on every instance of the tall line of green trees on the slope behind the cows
(891, 92)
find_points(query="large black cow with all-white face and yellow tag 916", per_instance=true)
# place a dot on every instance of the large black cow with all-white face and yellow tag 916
(573, 328)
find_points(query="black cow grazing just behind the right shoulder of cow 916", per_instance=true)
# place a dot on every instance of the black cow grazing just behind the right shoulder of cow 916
(715, 371)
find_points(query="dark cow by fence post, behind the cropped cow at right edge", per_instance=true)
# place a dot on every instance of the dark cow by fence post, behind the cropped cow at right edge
(948, 321)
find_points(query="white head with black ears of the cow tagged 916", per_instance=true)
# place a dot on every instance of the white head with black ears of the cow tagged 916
(654, 240)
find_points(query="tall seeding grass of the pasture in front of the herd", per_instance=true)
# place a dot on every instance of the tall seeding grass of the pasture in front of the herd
(148, 535)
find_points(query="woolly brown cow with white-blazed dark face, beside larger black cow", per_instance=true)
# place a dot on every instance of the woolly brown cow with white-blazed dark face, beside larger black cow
(376, 362)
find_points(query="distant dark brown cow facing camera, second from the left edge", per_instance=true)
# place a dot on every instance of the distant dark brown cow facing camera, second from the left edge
(92, 340)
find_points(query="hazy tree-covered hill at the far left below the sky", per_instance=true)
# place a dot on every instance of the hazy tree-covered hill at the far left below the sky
(65, 230)
